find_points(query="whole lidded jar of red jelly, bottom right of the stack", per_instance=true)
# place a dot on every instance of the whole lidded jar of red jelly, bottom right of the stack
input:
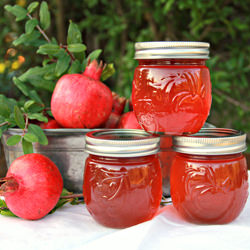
(209, 178)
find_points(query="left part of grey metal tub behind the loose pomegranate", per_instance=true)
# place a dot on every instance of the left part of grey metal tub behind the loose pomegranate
(65, 149)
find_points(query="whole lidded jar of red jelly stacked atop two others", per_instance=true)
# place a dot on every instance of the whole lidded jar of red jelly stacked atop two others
(171, 87)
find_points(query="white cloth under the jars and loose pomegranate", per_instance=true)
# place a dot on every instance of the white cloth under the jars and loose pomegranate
(72, 227)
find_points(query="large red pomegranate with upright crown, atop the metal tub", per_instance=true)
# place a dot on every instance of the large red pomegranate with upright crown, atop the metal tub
(81, 100)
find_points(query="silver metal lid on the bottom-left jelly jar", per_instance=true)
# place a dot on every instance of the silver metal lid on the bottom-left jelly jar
(121, 143)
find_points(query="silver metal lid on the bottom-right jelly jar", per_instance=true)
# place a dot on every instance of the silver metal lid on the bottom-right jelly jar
(211, 141)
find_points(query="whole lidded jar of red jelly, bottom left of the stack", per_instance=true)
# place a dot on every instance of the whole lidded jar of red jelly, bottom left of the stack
(122, 183)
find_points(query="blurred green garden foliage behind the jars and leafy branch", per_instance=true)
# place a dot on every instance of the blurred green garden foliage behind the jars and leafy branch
(115, 25)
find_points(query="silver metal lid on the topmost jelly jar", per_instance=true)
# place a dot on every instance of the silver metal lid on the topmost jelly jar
(171, 49)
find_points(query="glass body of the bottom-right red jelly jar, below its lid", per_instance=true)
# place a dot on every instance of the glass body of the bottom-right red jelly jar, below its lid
(209, 189)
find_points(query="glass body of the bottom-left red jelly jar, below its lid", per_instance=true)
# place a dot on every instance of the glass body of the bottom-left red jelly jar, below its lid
(121, 192)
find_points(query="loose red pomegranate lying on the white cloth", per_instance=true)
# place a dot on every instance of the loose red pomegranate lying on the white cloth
(32, 186)
